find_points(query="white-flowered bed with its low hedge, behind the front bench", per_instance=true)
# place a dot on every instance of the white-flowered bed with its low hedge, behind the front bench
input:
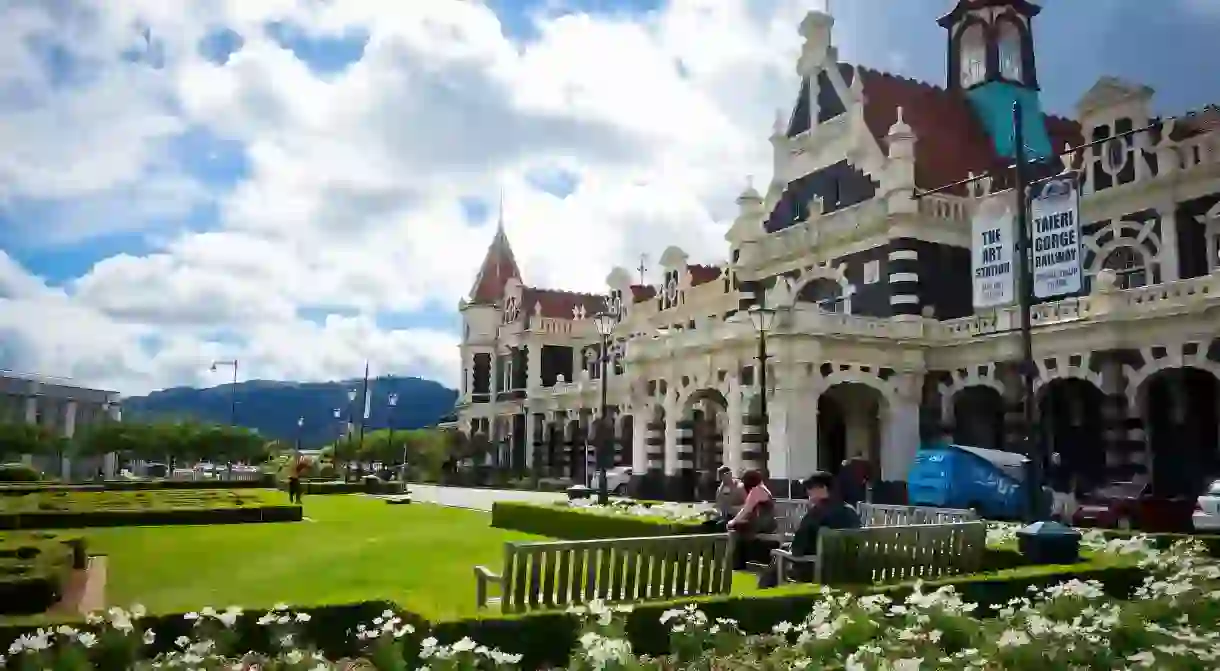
(581, 520)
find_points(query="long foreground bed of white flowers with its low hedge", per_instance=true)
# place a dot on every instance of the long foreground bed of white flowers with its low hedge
(1072, 624)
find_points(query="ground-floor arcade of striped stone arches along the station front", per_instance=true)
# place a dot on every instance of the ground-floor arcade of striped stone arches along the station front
(1161, 426)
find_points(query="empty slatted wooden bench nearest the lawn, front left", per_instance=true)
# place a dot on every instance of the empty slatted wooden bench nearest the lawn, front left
(559, 574)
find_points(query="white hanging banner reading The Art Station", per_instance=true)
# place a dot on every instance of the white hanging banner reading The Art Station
(992, 242)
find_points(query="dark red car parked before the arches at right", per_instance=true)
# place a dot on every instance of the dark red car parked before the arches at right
(1133, 506)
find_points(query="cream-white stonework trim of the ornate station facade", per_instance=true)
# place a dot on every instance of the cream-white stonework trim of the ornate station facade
(689, 335)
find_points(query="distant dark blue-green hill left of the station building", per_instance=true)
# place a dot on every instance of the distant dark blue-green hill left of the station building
(273, 408)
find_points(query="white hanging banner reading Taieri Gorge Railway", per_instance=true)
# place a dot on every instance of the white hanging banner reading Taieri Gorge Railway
(1055, 221)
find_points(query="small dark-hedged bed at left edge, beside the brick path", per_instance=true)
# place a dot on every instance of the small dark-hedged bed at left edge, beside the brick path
(35, 569)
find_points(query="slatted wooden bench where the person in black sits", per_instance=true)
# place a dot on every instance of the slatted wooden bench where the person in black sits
(891, 554)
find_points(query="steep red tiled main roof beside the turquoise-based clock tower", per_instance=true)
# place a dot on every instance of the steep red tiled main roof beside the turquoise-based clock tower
(951, 141)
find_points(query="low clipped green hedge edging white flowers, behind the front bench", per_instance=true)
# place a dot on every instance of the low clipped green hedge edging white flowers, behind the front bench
(572, 524)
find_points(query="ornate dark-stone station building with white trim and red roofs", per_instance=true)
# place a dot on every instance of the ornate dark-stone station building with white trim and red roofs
(878, 341)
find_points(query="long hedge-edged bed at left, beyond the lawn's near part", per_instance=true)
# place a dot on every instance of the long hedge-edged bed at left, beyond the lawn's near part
(169, 507)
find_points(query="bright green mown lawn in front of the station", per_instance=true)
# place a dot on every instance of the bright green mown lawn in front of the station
(356, 548)
